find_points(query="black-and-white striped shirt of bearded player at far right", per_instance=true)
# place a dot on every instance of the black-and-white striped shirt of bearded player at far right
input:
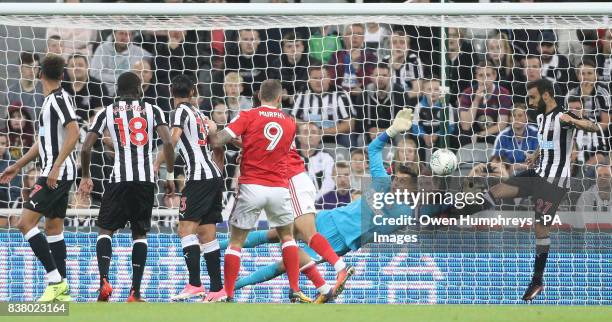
(555, 143)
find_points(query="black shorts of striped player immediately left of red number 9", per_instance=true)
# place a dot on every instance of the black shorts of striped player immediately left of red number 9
(202, 201)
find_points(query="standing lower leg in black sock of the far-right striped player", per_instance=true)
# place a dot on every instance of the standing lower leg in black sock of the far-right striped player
(542, 248)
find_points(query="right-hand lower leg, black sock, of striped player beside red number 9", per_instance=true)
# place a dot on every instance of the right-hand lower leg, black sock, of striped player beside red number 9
(209, 247)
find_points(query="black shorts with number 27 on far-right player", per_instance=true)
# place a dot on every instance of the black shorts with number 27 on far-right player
(545, 196)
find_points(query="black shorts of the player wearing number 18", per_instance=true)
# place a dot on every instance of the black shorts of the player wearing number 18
(127, 201)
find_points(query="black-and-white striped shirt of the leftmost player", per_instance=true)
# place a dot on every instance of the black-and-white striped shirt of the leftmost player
(57, 111)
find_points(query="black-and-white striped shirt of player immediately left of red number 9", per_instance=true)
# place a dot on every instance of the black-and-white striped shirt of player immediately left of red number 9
(193, 144)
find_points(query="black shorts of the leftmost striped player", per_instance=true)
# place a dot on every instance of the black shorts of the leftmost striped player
(51, 203)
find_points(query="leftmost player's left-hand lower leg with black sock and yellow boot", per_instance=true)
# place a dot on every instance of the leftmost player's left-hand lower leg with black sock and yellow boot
(28, 226)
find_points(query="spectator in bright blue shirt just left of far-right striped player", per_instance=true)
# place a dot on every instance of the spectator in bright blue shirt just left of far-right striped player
(516, 142)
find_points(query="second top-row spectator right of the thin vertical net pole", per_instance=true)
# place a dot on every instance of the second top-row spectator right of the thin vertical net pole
(501, 57)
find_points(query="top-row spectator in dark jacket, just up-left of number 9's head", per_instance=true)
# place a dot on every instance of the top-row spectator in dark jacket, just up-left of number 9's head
(249, 59)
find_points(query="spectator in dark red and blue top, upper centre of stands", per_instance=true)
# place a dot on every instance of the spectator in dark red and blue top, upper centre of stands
(350, 66)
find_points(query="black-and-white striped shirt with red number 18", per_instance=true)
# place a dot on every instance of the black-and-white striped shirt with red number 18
(131, 125)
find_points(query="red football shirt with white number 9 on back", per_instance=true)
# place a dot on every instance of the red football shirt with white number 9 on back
(267, 135)
